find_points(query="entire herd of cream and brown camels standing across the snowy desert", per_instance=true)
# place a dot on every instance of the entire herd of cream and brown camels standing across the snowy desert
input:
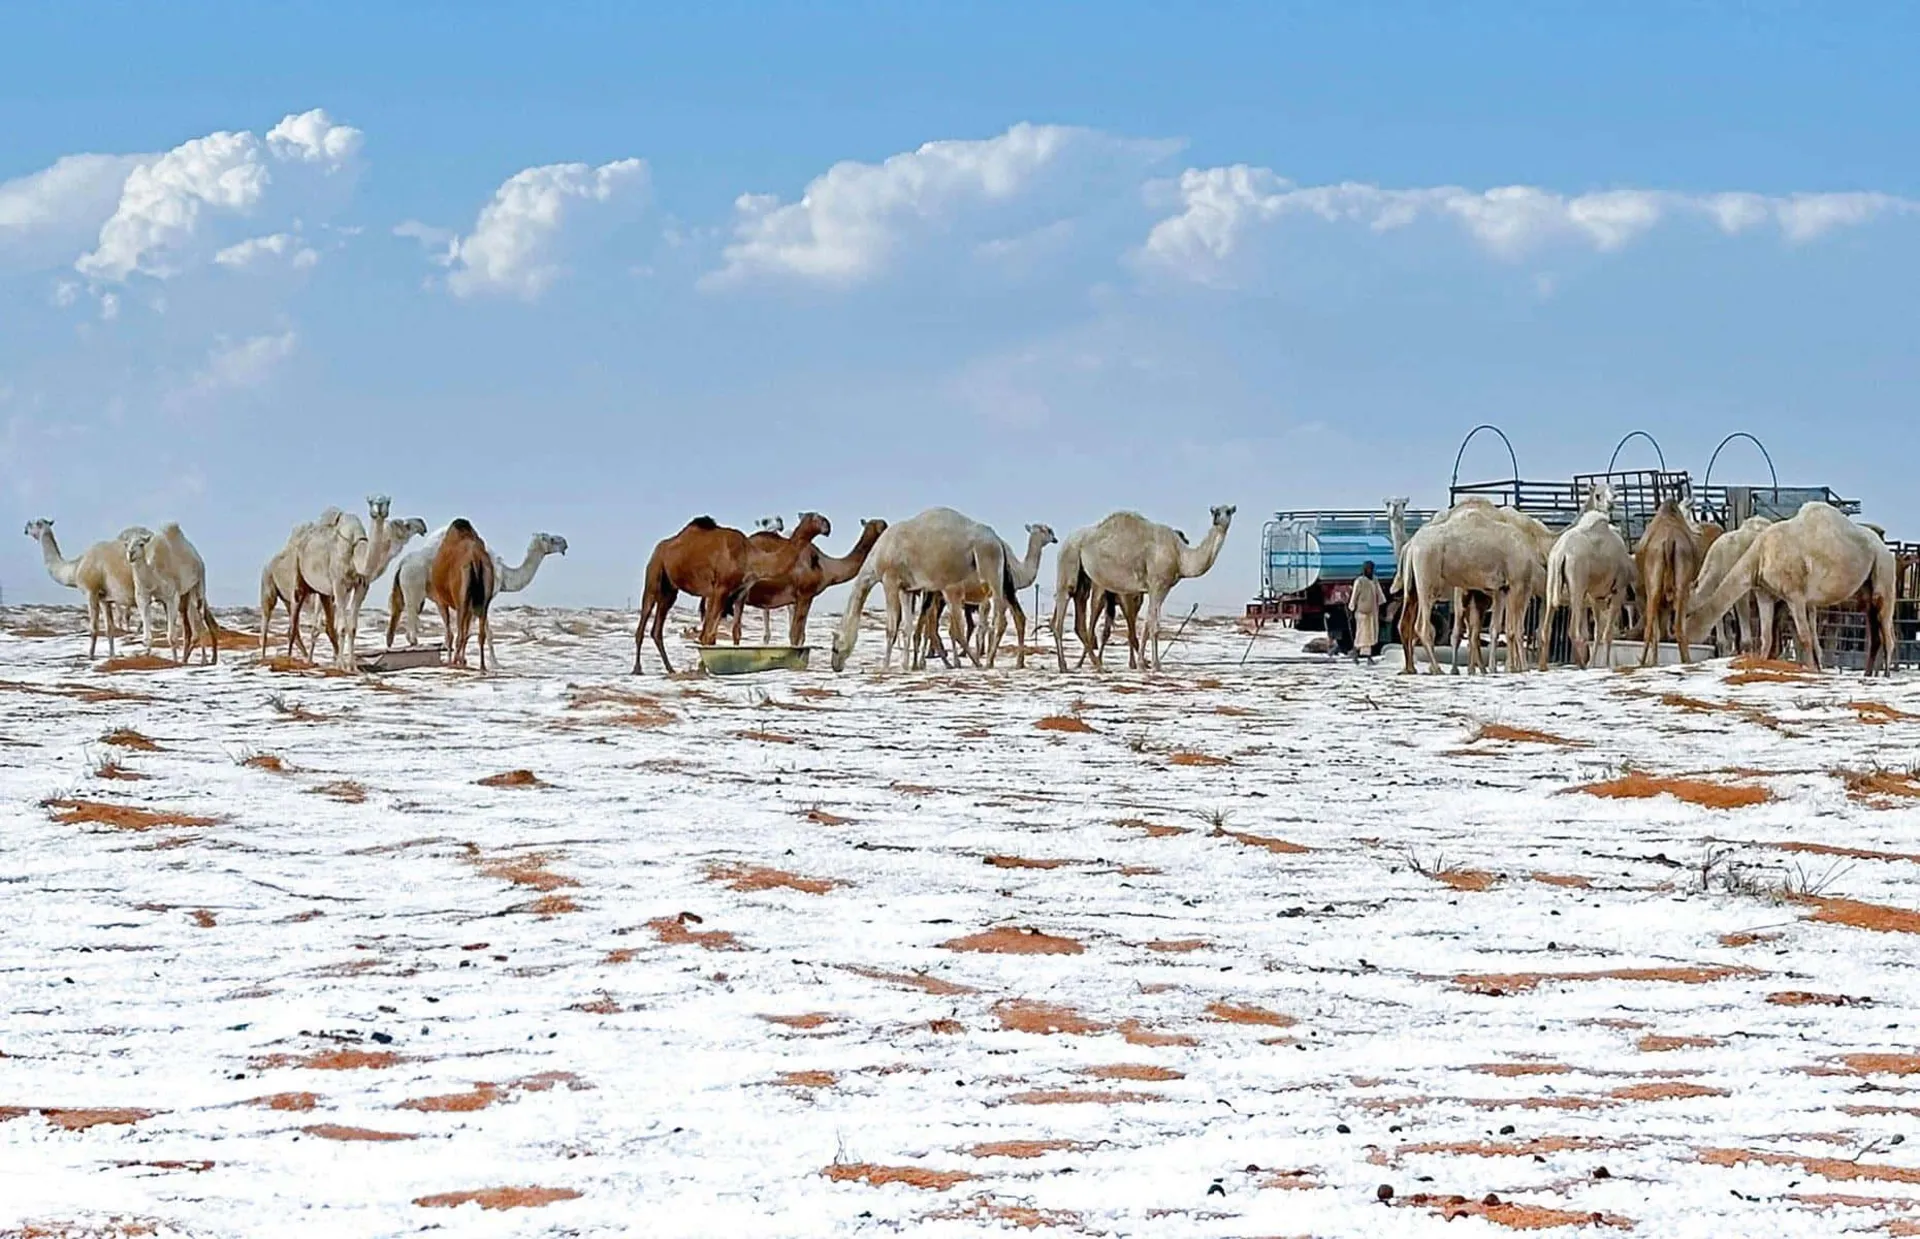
(1495, 562)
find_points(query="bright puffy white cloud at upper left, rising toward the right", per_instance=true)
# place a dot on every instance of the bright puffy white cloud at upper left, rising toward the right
(168, 206)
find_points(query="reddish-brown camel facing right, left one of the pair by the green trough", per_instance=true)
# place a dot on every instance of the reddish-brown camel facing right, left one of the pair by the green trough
(719, 566)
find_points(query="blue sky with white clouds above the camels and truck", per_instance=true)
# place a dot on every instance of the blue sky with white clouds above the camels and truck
(596, 270)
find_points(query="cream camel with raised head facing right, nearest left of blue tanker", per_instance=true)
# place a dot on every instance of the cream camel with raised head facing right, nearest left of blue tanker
(1128, 554)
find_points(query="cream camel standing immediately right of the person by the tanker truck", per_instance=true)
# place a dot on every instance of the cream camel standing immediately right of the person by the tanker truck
(1470, 552)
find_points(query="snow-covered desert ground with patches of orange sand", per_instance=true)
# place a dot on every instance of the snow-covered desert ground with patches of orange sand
(1218, 952)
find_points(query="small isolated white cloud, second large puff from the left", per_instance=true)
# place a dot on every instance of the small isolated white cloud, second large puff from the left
(537, 218)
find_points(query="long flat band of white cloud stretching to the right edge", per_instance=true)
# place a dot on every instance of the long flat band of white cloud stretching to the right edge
(1220, 206)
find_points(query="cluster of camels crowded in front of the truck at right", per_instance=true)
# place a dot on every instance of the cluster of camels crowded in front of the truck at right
(1687, 579)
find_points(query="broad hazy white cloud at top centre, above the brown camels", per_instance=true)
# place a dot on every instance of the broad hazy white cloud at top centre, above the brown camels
(853, 218)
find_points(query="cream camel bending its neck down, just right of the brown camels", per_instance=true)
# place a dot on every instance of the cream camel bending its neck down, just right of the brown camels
(938, 550)
